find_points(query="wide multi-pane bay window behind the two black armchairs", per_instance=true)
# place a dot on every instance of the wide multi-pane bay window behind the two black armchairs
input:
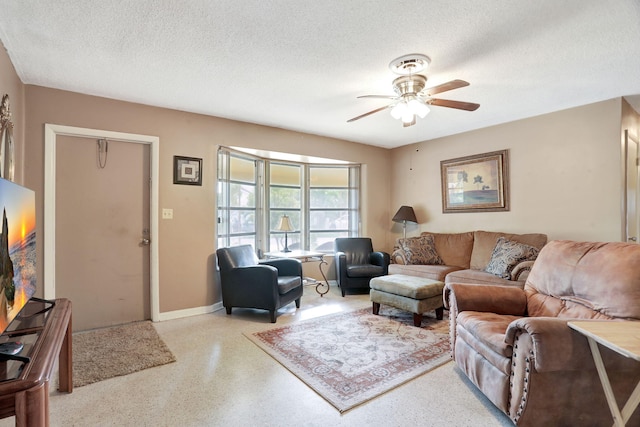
(321, 200)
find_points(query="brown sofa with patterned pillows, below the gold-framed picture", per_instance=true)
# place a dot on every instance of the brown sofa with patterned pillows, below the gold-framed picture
(464, 257)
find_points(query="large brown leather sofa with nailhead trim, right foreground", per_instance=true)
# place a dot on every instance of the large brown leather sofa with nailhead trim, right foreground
(515, 346)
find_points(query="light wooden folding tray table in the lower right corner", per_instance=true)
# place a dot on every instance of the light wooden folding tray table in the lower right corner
(622, 337)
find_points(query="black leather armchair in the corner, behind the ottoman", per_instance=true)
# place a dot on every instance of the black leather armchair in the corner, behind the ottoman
(356, 263)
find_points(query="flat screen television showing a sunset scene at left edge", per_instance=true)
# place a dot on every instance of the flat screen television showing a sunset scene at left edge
(17, 250)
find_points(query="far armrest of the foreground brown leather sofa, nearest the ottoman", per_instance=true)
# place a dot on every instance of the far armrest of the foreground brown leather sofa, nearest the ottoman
(486, 298)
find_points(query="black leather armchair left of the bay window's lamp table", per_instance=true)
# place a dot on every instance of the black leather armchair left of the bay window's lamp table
(250, 283)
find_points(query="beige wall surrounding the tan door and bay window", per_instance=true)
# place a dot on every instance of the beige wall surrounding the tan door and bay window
(187, 242)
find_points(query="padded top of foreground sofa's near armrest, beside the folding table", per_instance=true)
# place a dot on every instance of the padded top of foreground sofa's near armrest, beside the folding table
(554, 345)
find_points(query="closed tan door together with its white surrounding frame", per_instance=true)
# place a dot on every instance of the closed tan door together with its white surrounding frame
(91, 279)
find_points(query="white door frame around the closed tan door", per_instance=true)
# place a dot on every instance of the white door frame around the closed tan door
(51, 132)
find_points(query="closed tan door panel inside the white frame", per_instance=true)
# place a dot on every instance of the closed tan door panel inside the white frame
(102, 228)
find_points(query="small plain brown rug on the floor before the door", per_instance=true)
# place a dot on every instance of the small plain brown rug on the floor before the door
(111, 352)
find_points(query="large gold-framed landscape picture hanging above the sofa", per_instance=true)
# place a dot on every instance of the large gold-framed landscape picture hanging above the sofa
(478, 183)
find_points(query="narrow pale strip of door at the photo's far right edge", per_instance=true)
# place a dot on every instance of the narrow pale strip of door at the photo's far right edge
(632, 194)
